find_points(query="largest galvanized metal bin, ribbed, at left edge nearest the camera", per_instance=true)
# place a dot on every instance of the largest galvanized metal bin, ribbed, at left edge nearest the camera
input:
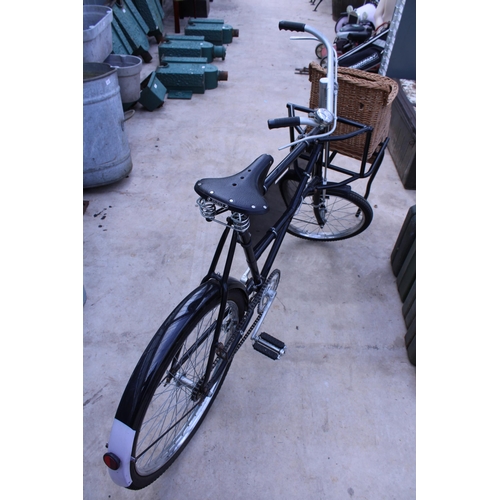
(106, 151)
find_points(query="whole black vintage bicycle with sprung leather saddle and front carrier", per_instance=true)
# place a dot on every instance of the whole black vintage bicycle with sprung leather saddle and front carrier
(182, 370)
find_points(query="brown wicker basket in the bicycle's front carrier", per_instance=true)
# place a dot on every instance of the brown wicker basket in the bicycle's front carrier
(364, 98)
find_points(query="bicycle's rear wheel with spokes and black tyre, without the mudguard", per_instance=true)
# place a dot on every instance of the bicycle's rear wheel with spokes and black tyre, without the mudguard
(171, 414)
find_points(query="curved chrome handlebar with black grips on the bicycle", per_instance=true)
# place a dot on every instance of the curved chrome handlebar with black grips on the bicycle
(331, 86)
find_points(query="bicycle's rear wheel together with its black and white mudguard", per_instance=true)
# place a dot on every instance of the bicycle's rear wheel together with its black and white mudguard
(161, 408)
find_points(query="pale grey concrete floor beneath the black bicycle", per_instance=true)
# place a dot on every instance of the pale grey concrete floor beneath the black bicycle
(335, 417)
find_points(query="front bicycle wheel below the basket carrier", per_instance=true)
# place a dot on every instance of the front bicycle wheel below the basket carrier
(330, 214)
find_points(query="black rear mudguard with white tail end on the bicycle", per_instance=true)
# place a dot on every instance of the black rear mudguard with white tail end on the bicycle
(139, 386)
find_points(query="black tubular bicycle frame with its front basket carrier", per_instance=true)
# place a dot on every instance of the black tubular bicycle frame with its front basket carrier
(273, 238)
